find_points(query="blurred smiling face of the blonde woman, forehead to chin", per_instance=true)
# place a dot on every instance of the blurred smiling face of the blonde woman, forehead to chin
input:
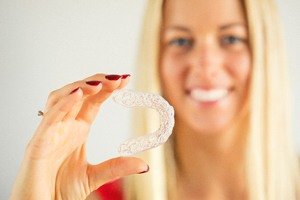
(205, 62)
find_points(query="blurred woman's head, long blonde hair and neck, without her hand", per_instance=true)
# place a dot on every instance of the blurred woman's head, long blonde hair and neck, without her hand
(239, 150)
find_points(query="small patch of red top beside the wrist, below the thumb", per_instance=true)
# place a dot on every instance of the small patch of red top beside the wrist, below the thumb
(111, 191)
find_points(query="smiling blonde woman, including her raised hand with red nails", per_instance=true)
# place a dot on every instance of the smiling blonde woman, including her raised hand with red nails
(221, 65)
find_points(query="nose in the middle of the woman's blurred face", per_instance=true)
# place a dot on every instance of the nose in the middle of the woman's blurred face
(206, 60)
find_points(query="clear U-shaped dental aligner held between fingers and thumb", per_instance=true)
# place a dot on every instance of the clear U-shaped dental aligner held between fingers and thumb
(131, 98)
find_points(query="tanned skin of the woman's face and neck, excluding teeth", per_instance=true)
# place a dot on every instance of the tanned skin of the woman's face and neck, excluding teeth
(205, 47)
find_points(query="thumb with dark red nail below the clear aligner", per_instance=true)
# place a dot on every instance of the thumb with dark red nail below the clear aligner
(113, 169)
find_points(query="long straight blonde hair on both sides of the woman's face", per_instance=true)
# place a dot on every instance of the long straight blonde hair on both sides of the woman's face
(271, 161)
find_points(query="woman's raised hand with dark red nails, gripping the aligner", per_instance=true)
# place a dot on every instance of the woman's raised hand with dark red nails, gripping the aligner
(55, 165)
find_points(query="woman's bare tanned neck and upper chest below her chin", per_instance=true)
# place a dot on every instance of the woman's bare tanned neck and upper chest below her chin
(210, 164)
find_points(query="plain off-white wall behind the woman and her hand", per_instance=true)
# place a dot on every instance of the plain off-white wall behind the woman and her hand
(47, 44)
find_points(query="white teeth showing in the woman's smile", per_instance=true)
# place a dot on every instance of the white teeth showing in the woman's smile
(208, 95)
